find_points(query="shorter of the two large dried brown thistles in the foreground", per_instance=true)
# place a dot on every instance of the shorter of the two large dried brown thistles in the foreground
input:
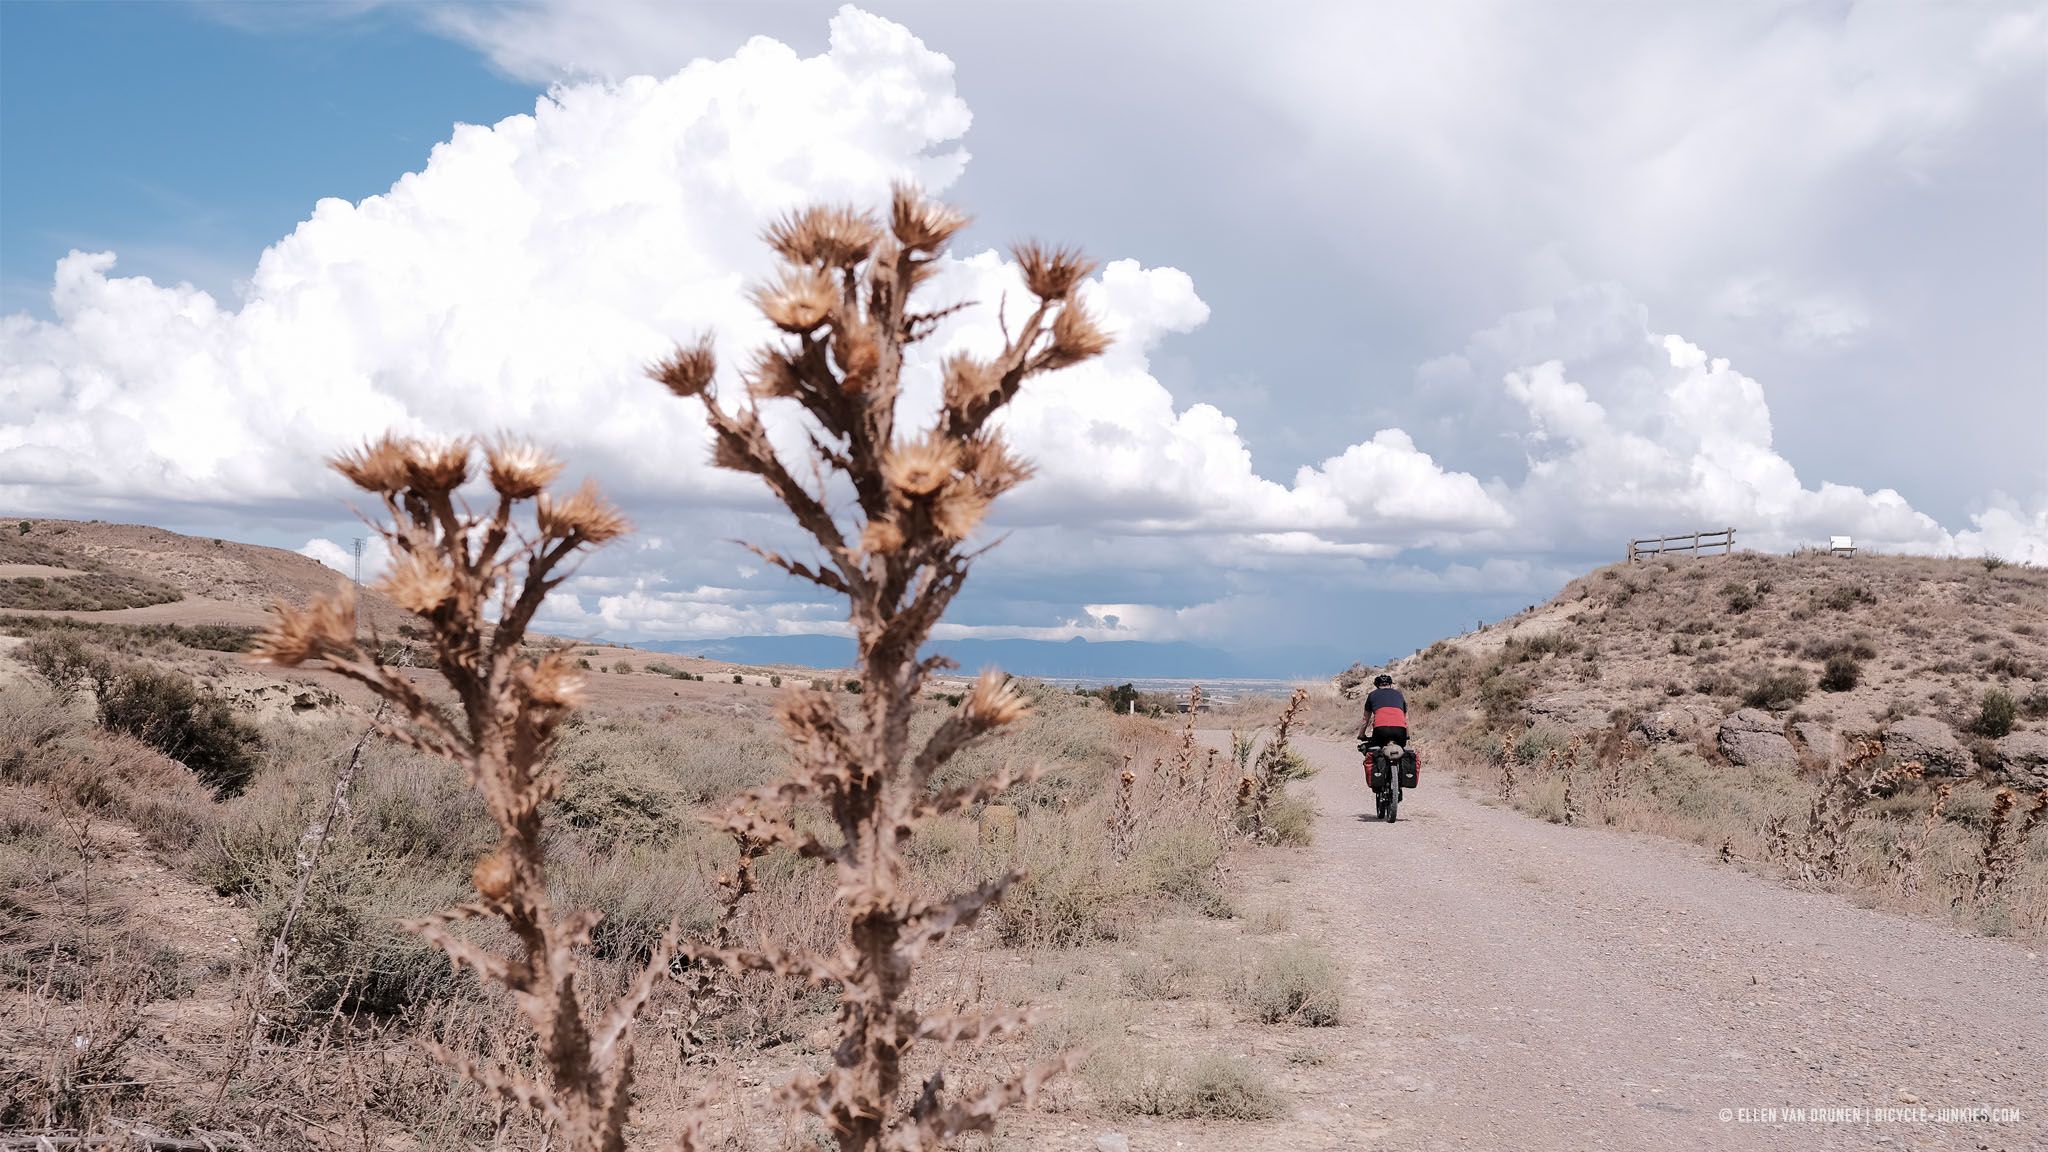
(476, 581)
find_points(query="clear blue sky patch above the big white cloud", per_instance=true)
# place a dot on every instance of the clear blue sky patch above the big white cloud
(208, 132)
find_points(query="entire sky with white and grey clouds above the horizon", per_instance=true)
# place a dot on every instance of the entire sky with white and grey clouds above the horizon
(1420, 311)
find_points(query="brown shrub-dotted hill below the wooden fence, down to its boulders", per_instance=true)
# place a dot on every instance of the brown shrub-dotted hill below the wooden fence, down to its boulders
(1768, 659)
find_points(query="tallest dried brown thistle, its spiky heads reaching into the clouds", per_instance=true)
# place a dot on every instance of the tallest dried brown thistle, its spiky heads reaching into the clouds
(898, 552)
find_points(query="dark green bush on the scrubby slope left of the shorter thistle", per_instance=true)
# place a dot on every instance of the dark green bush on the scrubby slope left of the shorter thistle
(167, 712)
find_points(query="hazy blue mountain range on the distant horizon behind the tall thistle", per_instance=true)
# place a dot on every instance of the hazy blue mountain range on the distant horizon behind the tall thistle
(1078, 659)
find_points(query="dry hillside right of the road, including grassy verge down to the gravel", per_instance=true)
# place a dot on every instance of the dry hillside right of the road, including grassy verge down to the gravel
(1877, 725)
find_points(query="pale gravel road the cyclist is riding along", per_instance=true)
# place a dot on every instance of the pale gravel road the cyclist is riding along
(1521, 985)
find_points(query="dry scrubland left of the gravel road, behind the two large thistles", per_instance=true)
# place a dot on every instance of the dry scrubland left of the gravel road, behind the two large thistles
(161, 796)
